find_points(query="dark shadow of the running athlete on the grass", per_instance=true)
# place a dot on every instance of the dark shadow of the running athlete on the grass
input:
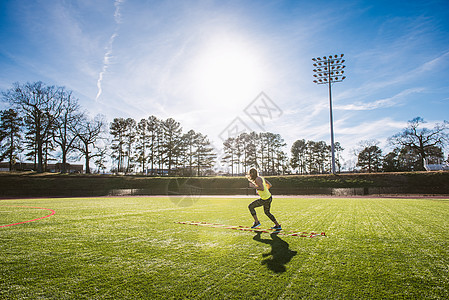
(280, 254)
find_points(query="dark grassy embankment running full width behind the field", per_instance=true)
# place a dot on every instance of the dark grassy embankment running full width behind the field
(58, 185)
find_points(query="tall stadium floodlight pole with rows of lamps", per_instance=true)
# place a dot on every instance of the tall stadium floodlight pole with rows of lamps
(328, 70)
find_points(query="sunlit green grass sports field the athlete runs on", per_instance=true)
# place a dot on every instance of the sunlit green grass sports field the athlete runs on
(131, 248)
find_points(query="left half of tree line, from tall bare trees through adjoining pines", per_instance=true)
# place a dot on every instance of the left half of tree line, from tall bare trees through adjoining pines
(46, 123)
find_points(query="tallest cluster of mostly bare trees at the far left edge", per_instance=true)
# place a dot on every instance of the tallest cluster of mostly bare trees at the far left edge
(44, 119)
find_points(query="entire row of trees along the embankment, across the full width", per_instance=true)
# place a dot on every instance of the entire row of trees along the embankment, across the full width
(46, 123)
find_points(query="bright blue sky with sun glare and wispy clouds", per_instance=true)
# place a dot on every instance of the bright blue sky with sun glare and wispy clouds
(204, 62)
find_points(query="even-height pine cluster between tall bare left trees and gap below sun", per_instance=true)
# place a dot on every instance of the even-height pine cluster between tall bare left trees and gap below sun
(159, 147)
